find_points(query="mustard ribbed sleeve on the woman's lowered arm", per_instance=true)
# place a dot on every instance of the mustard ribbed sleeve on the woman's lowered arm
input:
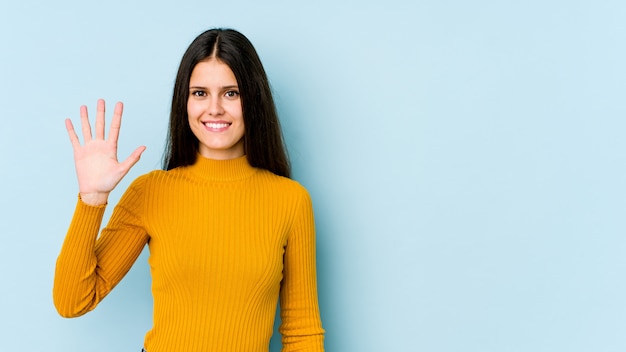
(301, 326)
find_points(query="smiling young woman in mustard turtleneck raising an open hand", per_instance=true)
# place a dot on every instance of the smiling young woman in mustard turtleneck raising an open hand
(229, 233)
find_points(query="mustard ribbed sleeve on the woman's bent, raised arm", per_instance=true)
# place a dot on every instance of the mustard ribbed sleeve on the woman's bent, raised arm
(90, 266)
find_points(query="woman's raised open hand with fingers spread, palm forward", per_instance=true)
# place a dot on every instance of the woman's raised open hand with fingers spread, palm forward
(96, 162)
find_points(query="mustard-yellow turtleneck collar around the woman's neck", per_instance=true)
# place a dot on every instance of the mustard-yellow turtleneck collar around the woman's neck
(222, 170)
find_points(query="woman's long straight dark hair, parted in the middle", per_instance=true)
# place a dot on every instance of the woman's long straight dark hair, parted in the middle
(263, 140)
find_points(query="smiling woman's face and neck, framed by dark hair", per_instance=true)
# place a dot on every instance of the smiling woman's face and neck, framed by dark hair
(214, 110)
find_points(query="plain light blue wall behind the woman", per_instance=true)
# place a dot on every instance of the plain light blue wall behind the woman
(465, 158)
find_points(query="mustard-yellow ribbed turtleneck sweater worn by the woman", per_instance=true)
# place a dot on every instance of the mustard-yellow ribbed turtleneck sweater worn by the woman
(226, 241)
